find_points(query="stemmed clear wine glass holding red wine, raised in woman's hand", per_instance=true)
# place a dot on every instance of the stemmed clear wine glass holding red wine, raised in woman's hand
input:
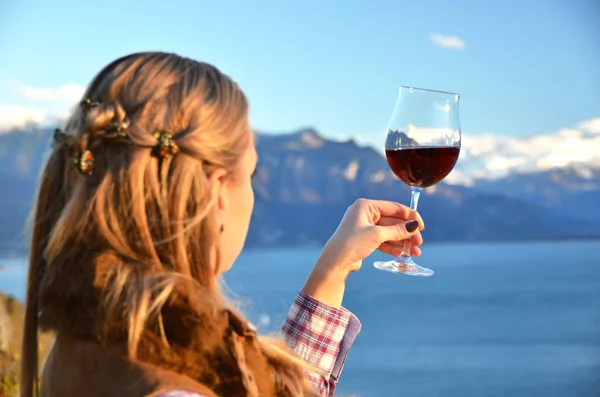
(422, 147)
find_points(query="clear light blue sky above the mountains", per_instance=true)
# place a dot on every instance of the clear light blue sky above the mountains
(526, 67)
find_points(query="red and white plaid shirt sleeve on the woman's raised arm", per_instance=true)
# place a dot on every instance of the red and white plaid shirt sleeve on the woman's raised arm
(321, 335)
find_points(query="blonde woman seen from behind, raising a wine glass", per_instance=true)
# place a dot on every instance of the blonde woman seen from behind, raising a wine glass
(144, 201)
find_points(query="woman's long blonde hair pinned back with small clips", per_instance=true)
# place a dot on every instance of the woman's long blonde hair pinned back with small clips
(110, 250)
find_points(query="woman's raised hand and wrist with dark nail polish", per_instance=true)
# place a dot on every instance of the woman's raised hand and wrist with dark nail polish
(368, 225)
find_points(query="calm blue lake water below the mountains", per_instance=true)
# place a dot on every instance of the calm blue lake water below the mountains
(520, 320)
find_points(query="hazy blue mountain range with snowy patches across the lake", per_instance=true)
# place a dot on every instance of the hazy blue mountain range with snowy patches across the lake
(305, 182)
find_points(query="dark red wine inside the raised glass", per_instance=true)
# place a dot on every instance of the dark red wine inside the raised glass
(422, 166)
